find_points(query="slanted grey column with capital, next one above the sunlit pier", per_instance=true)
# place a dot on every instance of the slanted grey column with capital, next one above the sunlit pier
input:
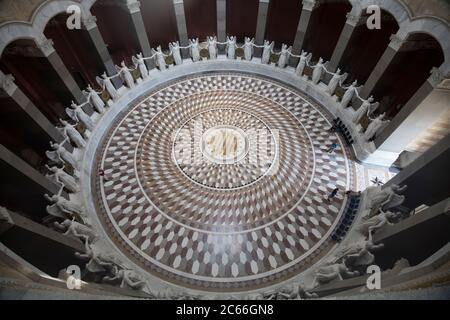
(384, 62)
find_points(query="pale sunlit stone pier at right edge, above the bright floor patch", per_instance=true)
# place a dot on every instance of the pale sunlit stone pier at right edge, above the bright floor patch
(422, 110)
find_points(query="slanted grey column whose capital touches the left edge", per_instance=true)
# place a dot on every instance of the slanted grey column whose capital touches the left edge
(11, 89)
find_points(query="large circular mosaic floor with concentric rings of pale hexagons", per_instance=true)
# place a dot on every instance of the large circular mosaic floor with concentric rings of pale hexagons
(219, 182)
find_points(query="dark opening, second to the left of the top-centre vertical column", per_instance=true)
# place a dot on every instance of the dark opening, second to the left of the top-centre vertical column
(160, 22)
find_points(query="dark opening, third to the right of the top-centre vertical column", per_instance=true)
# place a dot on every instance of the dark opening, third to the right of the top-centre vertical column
(325, 26)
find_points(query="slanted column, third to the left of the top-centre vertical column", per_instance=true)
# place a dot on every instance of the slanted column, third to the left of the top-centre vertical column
(97, 39)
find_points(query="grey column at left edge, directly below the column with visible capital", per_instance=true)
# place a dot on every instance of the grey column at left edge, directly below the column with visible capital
(24, 168)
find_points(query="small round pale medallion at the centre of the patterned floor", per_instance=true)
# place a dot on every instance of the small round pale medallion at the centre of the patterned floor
(224, 144)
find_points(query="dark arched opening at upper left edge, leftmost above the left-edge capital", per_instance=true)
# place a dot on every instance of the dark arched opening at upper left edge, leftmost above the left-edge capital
(35, 76)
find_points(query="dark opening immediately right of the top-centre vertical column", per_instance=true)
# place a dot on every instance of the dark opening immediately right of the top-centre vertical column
(242, 18)
